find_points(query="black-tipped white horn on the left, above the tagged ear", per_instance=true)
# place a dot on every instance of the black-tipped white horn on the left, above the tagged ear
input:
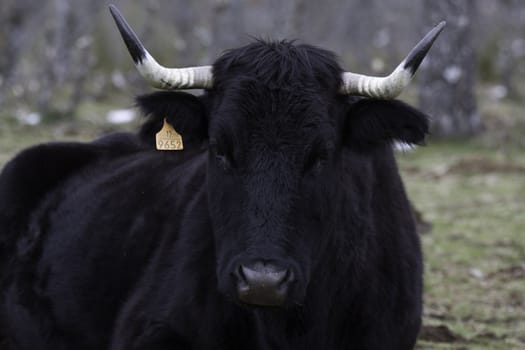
(159, 76)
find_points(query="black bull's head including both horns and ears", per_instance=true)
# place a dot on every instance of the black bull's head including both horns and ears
(285, 145)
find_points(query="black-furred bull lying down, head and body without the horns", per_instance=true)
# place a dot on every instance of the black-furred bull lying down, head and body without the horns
(282, 225)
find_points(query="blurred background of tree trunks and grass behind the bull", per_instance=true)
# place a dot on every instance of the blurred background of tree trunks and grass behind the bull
(66, 75)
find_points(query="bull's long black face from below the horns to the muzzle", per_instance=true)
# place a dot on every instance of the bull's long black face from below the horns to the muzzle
(269, 152)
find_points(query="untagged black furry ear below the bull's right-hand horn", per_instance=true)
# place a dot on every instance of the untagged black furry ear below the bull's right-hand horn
(374, 122)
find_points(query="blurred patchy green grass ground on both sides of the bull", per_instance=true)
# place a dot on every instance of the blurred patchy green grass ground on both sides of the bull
(471, 194)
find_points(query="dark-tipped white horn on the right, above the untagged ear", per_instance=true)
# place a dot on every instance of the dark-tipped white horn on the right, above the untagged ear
(391, 86)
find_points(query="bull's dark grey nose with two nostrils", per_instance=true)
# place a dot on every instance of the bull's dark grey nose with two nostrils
(263, 284)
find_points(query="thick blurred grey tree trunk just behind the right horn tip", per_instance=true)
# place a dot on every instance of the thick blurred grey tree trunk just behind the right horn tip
(448, 75)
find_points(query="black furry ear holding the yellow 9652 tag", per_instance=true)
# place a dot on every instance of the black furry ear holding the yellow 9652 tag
(185, 112)
